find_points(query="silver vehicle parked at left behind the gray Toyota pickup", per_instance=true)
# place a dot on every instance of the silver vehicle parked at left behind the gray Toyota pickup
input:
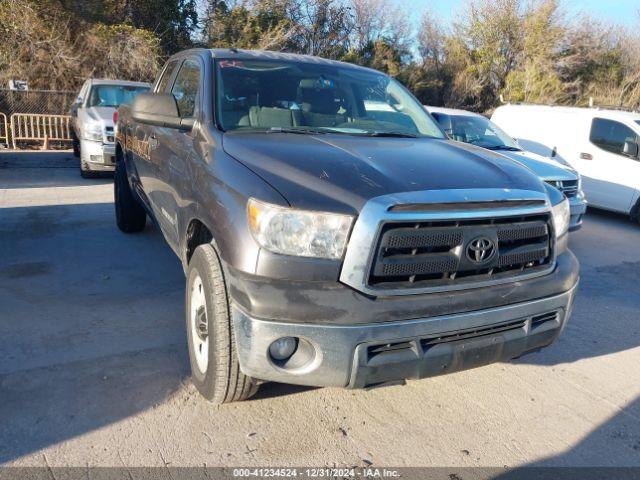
(92, 118)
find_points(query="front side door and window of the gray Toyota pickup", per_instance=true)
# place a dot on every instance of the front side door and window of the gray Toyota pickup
(175, 149)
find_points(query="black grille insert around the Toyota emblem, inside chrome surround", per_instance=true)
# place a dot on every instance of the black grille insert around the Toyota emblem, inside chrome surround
(434, 254)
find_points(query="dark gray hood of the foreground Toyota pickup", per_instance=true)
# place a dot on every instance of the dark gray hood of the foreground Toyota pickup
(340, 173)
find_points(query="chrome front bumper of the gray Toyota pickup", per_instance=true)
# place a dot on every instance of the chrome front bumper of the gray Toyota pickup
(357, 356)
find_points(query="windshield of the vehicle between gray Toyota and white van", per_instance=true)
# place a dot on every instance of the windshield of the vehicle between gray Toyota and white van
(477, 131)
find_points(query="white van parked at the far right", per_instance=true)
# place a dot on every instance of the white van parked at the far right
(602, 145)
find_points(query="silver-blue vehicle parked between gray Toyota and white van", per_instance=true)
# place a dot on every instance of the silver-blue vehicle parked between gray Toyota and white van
(469, 127)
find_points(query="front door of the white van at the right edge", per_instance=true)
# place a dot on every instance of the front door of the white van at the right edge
(611, 176)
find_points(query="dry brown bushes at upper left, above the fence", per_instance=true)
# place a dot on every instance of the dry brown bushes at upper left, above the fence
(41, 47)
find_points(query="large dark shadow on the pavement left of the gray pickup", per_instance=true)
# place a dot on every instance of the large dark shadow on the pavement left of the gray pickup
(91, 324)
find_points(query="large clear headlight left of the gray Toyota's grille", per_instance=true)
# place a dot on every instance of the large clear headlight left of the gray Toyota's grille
(298, 232)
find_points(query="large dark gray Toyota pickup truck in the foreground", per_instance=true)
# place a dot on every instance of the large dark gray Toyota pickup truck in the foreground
(330, 233)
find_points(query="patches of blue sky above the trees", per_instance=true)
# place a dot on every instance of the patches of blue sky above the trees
(625, 12)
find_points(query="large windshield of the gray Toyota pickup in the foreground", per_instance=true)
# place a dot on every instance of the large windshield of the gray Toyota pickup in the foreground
(303, 97)
